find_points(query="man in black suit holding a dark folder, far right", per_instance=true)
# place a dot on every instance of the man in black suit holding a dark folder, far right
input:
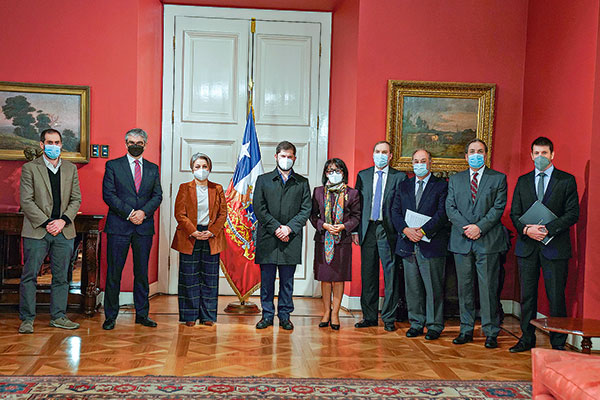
(557, 191)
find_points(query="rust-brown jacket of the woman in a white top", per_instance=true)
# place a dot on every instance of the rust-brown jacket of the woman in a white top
(186, 214)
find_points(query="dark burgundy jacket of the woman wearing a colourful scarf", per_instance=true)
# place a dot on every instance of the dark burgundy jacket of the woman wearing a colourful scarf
(351, 214)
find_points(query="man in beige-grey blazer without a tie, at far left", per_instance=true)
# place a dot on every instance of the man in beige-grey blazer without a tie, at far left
(50, 199)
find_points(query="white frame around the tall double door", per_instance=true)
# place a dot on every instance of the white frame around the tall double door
(170, 13)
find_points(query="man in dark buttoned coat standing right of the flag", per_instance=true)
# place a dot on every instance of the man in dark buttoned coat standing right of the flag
(282, 206)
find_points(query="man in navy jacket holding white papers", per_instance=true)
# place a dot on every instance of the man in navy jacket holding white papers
(424, 261)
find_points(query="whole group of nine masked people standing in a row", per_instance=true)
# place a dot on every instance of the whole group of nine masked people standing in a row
(406, 225)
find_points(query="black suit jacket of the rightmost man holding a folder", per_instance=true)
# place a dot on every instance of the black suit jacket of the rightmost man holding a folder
(560, 197)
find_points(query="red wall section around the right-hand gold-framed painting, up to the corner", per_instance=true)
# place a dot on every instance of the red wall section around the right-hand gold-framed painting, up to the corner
(466, 41)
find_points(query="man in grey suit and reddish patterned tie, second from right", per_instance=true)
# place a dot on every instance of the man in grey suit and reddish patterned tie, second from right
(475, 204)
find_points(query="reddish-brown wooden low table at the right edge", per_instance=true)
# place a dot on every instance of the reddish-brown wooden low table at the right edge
(586, 328)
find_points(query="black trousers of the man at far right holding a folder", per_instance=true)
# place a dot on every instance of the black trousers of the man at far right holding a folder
(555, 281)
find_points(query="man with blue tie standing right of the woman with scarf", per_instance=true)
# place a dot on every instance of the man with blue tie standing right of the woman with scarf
(377, 238)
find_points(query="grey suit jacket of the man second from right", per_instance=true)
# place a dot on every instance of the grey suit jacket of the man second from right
(485, 212)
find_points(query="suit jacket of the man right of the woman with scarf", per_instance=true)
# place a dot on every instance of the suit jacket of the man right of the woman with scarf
(364, 184)
